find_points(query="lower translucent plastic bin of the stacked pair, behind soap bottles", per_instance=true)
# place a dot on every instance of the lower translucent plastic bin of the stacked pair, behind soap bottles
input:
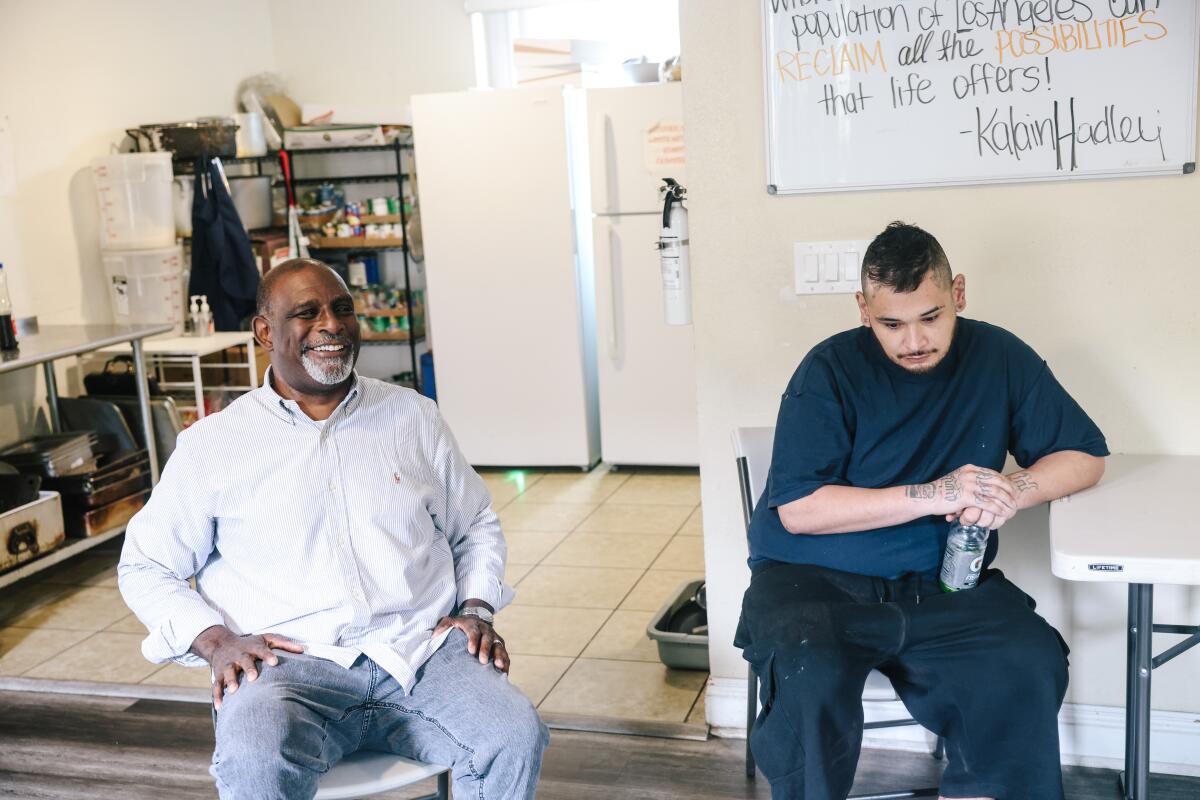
(147, 286)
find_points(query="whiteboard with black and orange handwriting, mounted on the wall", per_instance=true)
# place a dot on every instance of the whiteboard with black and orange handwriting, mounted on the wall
(878, 94)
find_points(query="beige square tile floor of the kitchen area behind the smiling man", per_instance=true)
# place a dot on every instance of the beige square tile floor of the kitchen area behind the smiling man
(592, 558)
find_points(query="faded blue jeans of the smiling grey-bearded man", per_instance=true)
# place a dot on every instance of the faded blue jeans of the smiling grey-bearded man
(278, 736)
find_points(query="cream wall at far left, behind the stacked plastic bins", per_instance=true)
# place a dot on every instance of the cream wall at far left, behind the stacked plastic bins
(74, 76)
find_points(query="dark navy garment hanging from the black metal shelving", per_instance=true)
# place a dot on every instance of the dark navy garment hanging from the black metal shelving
(224, 266)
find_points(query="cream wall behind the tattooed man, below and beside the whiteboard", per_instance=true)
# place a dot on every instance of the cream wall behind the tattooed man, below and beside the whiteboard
(1100, 278)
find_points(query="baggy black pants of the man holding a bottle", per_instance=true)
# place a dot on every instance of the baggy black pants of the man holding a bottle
(979, 667)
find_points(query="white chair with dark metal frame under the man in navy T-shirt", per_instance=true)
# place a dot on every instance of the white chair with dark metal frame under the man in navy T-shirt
(752, 449)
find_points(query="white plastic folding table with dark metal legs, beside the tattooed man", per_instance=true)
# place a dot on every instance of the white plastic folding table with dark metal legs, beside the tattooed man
(1138, 526)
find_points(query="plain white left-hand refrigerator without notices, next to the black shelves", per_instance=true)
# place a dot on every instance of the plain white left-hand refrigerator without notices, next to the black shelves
(509, 274)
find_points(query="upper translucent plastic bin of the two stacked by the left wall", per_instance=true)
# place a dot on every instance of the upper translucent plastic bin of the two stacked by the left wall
(134, 191)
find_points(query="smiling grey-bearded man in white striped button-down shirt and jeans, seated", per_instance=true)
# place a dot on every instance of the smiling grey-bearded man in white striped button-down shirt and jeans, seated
(347, 563)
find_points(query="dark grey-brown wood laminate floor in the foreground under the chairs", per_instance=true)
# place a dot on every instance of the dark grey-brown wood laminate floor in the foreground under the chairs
(77, 748)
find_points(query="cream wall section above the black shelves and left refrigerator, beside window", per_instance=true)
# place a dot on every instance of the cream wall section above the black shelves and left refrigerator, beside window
(373, 52)
